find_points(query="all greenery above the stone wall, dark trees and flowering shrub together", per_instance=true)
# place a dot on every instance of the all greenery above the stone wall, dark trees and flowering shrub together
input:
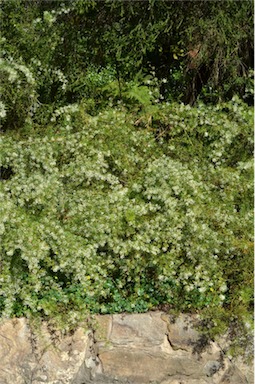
(126, 167)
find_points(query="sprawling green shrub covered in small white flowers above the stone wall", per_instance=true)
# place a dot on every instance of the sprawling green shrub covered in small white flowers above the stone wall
(102, 217)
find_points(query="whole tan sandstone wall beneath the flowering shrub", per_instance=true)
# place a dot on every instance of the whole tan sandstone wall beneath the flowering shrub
(136, 349)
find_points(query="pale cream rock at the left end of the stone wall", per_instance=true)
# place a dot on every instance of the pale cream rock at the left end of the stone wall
(28, 356)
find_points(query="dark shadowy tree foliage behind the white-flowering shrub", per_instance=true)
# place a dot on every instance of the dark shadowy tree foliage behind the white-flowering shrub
(202, 48)
